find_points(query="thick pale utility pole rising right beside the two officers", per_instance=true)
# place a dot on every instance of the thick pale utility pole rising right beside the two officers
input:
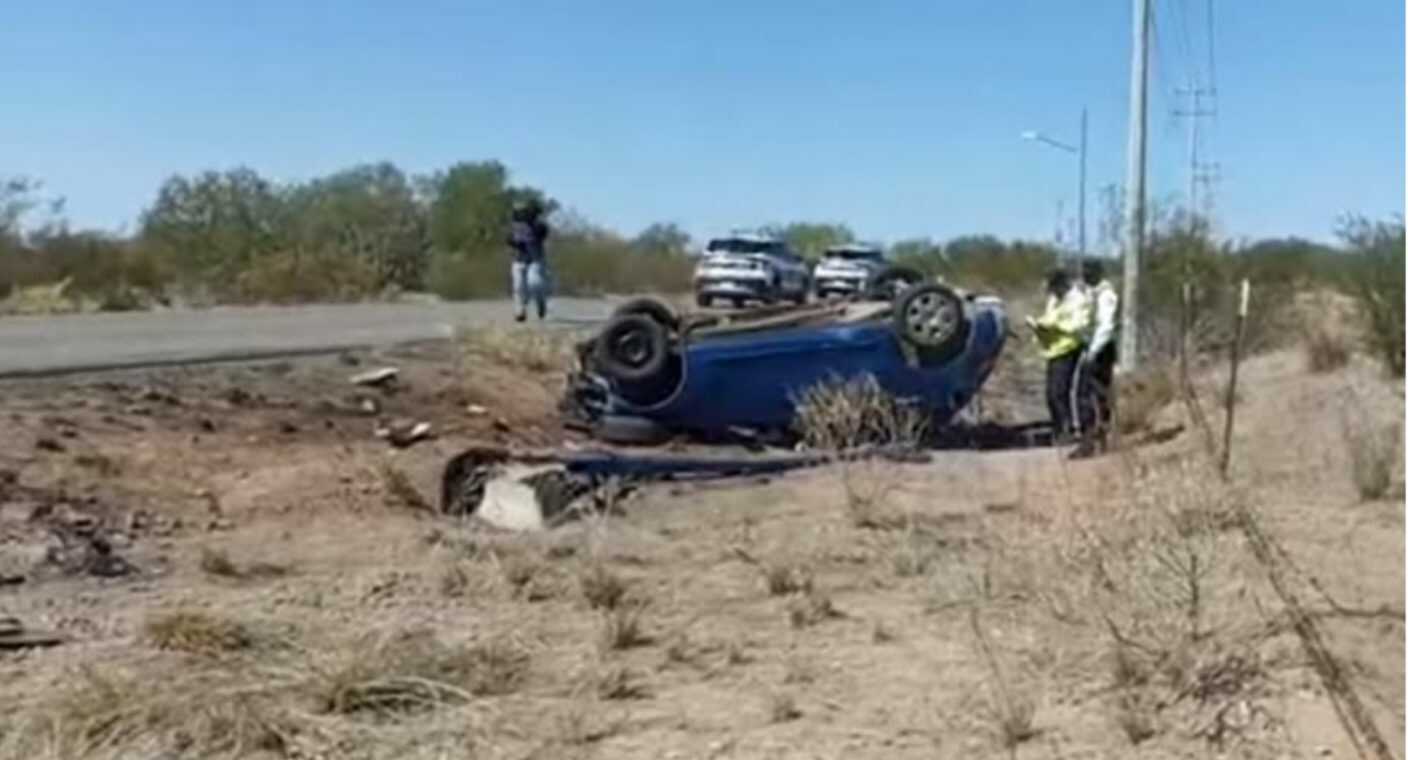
(1136, 188)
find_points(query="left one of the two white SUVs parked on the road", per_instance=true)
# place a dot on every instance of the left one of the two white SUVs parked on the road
(751, 268)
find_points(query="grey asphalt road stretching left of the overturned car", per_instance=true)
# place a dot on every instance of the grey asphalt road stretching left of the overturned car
(88, 343)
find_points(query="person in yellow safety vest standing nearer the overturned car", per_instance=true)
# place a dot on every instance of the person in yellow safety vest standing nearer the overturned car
(1061, 336)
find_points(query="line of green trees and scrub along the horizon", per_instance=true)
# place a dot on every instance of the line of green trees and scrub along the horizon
(372, 230)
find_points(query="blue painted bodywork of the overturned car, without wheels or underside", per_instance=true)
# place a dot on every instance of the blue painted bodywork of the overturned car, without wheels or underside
(754, 379)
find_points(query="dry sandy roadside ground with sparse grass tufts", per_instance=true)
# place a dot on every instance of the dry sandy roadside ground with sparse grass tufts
(988, 604)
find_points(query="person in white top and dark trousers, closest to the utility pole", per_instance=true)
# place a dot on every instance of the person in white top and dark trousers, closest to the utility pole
(1096, 371)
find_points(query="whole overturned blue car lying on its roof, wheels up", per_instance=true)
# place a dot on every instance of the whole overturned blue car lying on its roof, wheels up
(651, 375)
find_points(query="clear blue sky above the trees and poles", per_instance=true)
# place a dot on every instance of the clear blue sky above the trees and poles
(898, 118)
